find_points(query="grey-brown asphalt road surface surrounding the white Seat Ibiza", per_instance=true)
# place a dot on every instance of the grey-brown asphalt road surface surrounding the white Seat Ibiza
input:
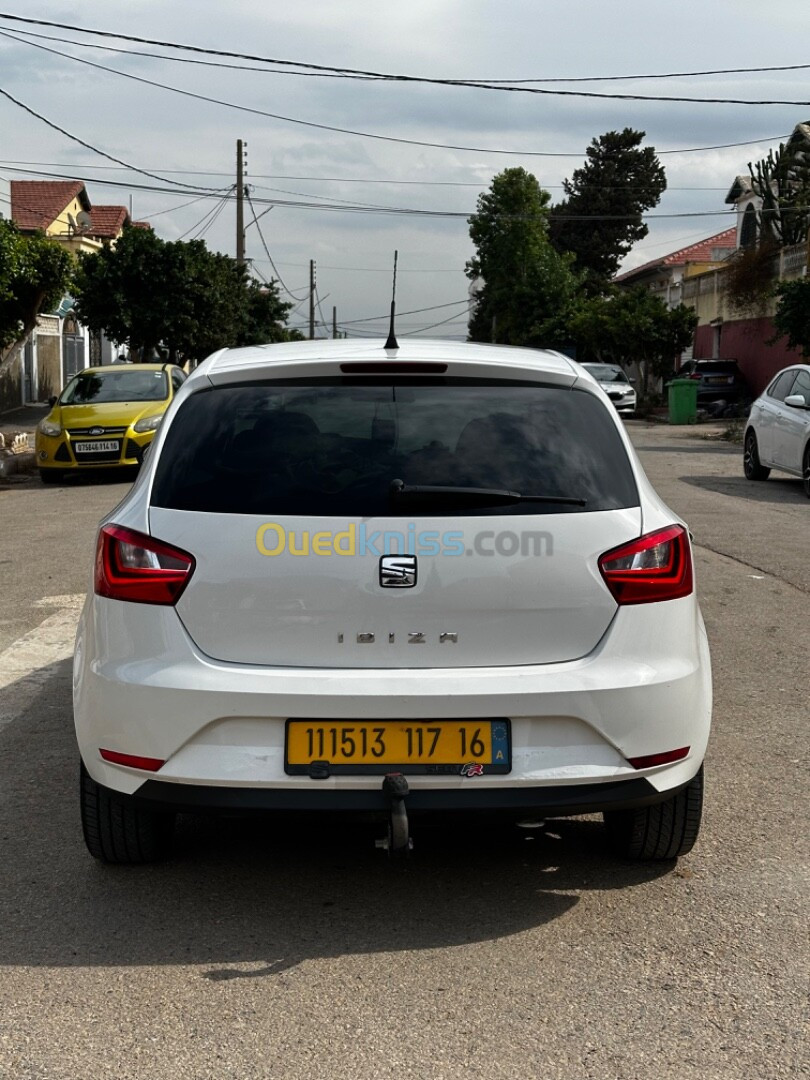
(262, 953)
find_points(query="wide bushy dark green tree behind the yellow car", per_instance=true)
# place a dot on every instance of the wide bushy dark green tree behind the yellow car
(180, 296)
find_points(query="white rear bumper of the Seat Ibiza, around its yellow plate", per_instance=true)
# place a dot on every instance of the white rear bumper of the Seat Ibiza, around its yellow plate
(221, 727)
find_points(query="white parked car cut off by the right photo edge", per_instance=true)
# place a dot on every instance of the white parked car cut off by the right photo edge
(778, 429)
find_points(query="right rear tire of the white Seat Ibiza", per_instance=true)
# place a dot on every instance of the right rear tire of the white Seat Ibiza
(664, 831)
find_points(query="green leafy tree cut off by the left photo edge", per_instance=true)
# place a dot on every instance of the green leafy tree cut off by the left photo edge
(35, 273)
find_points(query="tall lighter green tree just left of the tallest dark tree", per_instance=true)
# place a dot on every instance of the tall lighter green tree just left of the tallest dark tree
(524, 289)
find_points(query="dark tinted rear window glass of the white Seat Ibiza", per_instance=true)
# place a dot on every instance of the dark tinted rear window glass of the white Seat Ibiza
(334, 448)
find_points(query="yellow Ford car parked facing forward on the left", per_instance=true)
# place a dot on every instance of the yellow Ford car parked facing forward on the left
(105, 417)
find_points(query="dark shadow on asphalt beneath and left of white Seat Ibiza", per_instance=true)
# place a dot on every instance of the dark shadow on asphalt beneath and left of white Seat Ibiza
(254, 897)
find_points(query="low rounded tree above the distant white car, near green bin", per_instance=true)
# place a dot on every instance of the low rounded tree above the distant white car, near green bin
(633, 327)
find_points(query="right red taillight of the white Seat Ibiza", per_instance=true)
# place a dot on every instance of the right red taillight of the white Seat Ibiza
(655, 568)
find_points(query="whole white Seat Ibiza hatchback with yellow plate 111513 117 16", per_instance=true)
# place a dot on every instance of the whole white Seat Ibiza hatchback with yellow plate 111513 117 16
(396, 583)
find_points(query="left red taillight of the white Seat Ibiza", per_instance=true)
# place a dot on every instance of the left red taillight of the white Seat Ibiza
(131, 566)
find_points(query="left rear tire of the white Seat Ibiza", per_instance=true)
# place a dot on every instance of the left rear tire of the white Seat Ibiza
(119, 831)
